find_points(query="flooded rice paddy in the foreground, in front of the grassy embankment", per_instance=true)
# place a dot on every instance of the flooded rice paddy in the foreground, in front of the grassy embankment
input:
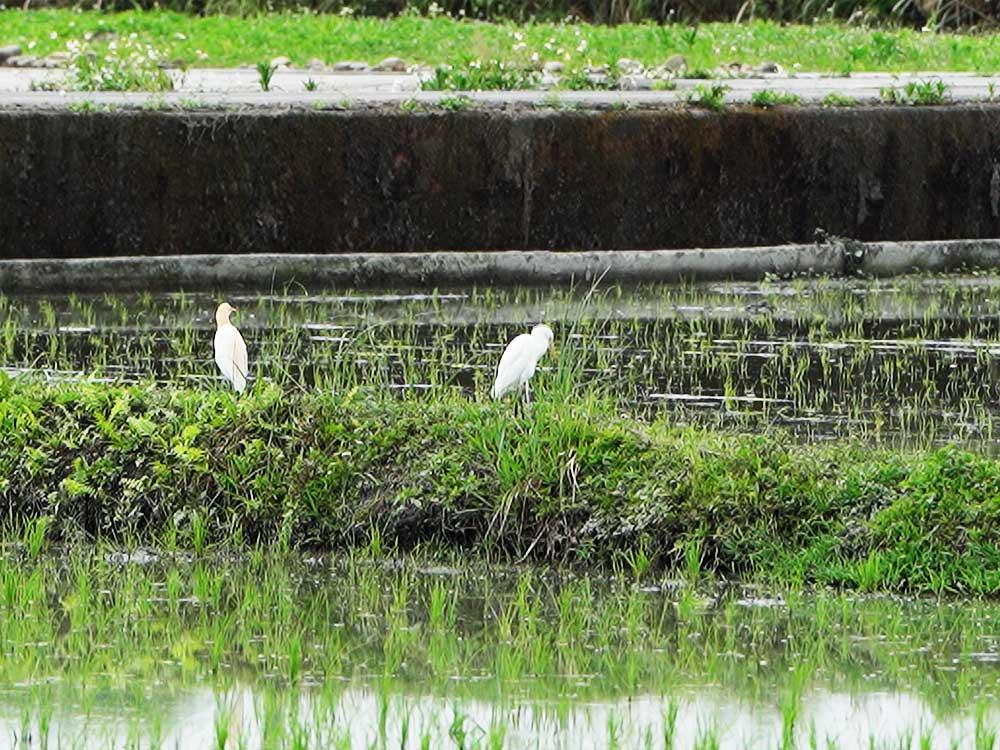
(200, 652)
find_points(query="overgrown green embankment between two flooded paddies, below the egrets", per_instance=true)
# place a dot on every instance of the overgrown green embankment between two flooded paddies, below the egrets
(569, 481)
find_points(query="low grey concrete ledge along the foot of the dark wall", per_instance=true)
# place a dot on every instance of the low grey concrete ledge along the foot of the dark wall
(274, 272)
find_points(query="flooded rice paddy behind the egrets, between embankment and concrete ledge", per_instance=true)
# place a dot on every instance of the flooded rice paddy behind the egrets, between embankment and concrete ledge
(911, 360)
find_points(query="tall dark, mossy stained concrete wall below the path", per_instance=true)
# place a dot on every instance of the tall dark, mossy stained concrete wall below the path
(304, 181)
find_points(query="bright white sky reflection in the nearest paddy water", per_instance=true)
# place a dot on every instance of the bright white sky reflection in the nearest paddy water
(364, 717)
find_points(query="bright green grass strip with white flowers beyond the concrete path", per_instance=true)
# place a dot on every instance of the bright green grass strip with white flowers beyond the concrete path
(230, 41)
